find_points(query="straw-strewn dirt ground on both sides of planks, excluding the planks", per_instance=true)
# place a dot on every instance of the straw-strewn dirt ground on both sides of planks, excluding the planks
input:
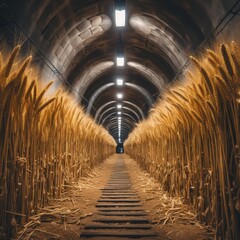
(65, 218)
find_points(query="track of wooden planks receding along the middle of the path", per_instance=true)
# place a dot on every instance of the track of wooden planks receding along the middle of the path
(119, 210)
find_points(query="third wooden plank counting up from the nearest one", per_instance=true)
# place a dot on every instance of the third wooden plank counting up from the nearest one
(131, 220)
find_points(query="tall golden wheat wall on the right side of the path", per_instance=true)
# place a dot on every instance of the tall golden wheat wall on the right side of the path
(191, 140)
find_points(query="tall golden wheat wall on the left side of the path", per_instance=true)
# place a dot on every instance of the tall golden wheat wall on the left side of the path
(45, 143)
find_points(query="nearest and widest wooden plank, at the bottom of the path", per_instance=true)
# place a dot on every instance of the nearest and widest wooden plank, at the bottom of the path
(128, 234)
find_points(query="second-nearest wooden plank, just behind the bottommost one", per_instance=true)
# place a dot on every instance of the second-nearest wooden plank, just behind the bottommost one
(118, 226)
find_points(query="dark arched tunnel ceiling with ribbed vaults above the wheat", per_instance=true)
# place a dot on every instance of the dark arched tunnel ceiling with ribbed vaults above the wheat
(81, 41)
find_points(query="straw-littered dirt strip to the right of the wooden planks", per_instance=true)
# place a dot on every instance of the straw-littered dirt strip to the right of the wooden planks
(169, 216)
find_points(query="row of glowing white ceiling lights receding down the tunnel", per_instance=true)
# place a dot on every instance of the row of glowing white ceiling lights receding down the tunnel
(120, 19)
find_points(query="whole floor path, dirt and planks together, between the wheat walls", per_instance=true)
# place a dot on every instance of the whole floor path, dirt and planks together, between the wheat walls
(116, 200)
